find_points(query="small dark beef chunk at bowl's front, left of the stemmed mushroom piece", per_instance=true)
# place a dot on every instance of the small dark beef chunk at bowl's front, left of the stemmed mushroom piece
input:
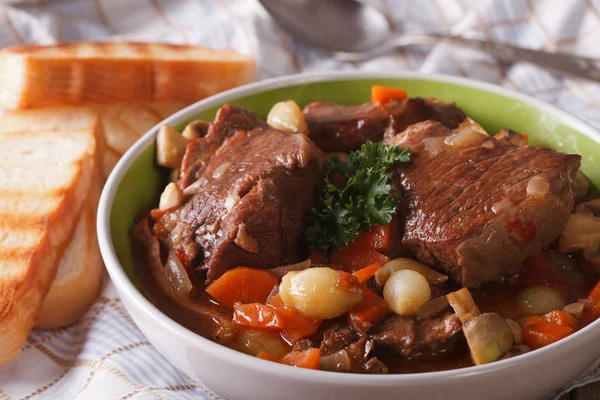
(409, 337)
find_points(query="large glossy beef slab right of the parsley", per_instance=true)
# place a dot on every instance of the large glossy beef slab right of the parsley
(468, 209)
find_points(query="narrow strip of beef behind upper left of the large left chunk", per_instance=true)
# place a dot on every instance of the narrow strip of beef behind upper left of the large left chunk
(229, 120)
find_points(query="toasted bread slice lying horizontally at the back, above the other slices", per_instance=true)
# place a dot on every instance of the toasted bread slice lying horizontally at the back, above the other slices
(105, 73)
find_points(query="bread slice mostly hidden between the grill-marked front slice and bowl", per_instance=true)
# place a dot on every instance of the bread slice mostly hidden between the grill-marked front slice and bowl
(80, 272)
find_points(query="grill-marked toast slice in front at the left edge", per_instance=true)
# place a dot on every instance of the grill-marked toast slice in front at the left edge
(45, 178)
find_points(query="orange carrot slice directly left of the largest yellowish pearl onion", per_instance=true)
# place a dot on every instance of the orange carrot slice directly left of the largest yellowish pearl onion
(244, 285)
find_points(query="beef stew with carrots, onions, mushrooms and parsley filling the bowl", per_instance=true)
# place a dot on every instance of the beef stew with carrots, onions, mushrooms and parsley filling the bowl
(396, 236)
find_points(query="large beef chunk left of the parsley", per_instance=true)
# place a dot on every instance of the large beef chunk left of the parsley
(249, 203)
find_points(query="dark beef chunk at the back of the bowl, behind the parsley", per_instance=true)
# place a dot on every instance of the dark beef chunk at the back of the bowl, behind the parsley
(334, 127)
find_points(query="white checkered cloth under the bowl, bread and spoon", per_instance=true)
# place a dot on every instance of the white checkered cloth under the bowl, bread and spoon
(104, 355)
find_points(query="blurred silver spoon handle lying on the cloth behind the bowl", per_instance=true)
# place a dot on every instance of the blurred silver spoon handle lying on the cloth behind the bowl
(582, 67)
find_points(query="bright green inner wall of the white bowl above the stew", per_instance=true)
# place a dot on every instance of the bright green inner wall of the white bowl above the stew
(141, 186)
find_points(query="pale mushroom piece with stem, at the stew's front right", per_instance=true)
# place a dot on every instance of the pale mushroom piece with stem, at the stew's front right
(488, 335)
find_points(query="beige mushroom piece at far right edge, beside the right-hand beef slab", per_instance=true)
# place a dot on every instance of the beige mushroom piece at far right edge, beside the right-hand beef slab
(582, 231)
